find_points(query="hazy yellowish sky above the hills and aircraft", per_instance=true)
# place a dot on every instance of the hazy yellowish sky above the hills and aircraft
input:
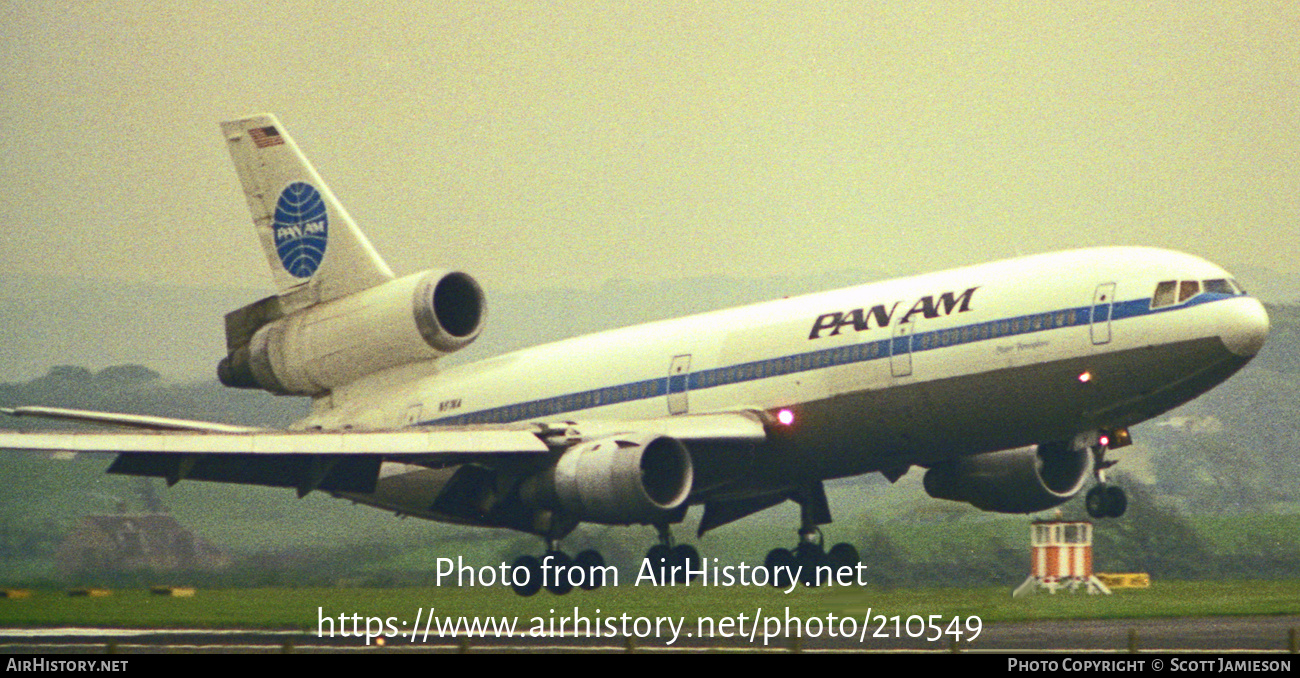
(538, 145)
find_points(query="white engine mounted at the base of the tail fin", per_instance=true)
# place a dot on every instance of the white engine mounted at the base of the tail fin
(322, 347)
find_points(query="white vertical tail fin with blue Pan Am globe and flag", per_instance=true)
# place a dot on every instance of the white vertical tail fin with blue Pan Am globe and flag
(314, 247)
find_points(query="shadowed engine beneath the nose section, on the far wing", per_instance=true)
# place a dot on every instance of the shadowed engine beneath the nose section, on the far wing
(1013, 481)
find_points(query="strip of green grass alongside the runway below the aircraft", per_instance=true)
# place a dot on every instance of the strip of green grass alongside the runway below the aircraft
(300, 609)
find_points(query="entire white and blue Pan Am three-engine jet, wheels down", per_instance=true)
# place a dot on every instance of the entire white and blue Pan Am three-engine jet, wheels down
(1007, 383)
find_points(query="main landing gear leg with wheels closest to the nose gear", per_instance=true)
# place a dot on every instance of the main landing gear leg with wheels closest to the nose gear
(811, 554)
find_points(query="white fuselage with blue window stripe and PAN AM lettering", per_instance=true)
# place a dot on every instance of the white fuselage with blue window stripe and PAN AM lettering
(882, 376)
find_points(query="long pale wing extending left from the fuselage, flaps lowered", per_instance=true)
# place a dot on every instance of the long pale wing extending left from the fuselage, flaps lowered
(346, 460)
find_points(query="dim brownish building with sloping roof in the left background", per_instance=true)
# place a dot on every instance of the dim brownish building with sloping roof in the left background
(131, 542)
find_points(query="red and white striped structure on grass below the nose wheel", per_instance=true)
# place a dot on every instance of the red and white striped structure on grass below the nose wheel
(1061, 558)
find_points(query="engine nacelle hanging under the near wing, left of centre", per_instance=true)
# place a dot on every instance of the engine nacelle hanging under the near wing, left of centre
(635, 480)
